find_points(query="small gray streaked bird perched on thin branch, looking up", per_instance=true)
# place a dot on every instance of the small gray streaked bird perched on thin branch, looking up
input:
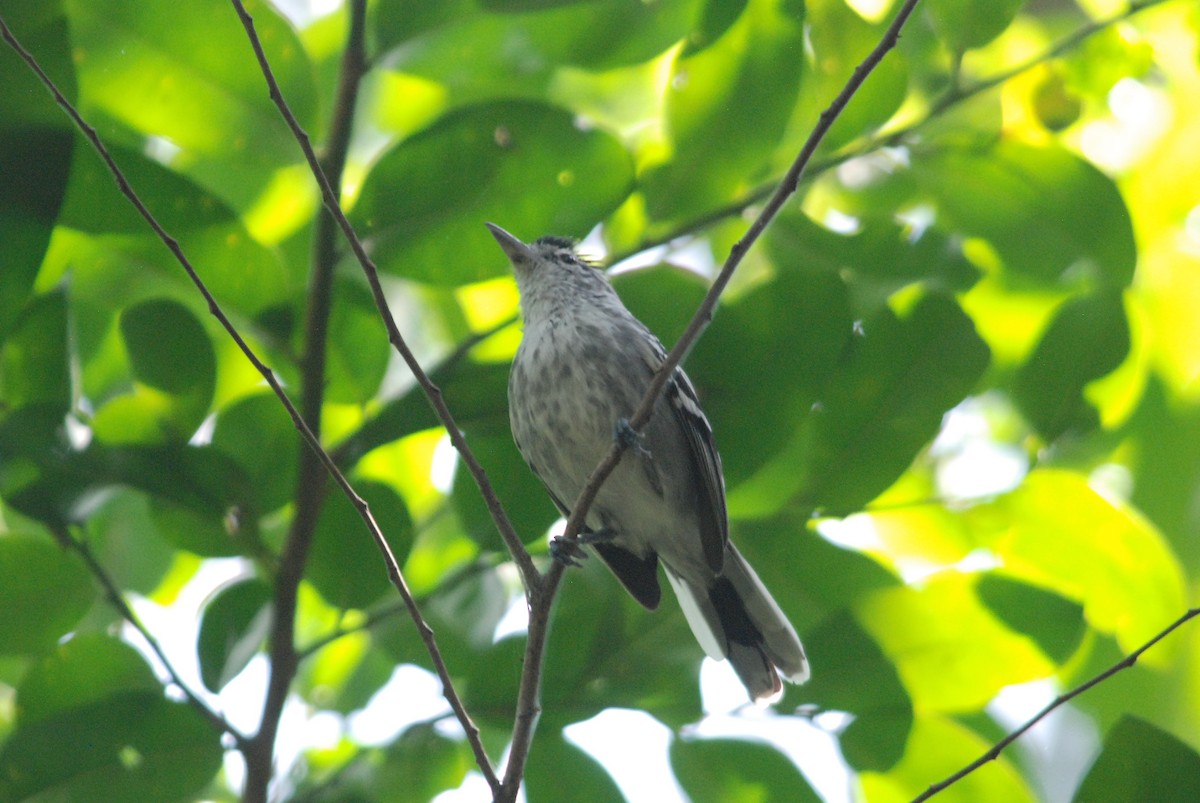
(585, 363)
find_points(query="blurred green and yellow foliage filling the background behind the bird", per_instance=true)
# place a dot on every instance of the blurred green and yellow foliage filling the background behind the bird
(957, 387)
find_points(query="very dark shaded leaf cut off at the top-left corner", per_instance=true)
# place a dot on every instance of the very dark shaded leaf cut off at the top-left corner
(35, 148)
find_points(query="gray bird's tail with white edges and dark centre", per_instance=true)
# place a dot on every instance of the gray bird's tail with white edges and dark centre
(737, 619)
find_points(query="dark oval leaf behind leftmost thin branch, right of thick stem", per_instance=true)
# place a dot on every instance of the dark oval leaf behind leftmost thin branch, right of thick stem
(345, 565)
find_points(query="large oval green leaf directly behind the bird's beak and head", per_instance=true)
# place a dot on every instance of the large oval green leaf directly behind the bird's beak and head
(526, 166)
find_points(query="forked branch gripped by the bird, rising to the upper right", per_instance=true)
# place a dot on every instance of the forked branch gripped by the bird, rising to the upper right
(529, 702)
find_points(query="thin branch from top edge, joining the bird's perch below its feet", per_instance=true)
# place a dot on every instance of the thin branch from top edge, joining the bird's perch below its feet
(530, 574)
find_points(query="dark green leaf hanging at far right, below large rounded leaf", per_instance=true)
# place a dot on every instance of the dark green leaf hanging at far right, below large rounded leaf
(1088, 339)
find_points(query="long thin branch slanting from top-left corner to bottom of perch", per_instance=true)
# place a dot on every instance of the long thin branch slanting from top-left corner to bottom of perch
(177, 251)
